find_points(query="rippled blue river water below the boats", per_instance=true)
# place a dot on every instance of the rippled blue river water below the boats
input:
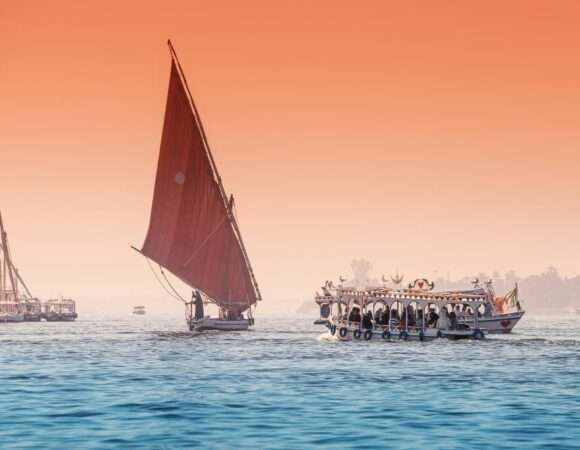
(136, 384)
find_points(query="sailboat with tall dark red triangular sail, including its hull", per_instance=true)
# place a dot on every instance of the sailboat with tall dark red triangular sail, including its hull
(193, 232)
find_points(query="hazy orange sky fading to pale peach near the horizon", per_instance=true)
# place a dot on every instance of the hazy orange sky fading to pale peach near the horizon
(427, 137)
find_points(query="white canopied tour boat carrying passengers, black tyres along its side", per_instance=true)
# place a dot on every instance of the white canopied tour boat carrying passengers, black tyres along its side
(413, 313)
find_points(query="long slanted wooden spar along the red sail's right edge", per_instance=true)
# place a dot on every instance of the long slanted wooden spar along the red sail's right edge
(233, 220)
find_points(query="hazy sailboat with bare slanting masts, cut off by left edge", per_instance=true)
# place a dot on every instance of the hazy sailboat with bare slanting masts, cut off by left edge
(15, 305)
